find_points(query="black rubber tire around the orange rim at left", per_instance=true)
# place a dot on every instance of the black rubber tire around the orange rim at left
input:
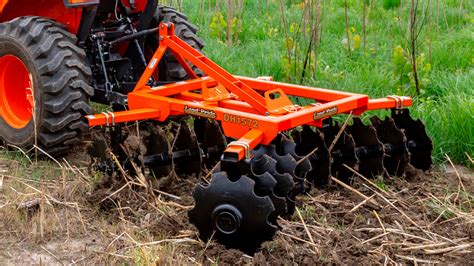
(61, 83)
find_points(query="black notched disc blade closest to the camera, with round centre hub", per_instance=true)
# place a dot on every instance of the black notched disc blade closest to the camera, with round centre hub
(253, 212)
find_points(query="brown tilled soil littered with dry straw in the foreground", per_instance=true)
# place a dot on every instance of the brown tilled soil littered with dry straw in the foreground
(80, 219)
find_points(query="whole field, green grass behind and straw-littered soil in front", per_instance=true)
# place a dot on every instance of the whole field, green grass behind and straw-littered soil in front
(63, 212)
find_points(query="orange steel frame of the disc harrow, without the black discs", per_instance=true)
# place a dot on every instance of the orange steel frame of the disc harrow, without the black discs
(252, 110)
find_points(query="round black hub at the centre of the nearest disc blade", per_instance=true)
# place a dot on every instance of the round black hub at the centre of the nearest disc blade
(226, 219)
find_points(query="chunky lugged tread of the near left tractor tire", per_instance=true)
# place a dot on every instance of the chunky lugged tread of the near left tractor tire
(64, 78)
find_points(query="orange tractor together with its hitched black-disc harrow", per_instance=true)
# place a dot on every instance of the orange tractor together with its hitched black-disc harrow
(144, 61)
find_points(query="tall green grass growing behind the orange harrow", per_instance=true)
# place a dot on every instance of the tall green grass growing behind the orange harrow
(446, 104)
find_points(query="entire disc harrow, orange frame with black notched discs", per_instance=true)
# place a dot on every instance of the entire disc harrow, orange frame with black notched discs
(281, 149)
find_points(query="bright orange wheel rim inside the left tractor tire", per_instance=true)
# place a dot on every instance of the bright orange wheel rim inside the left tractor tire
(16, 92)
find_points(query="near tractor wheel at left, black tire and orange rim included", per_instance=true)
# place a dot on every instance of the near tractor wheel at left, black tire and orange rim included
(44, 85)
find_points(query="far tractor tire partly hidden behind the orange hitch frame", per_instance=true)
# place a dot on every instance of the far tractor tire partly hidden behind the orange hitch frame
(169, 68)
